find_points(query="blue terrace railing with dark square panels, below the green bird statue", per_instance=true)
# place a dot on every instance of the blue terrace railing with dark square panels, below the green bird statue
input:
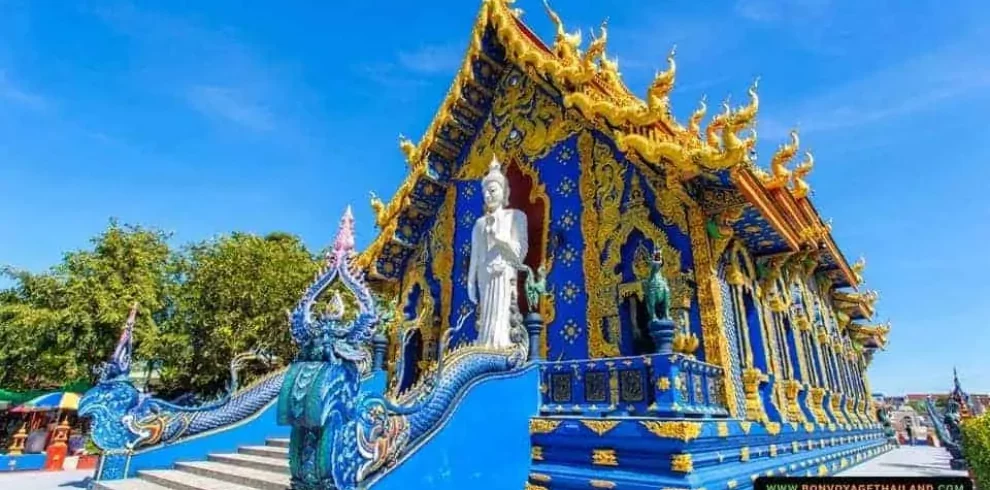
(656, 385)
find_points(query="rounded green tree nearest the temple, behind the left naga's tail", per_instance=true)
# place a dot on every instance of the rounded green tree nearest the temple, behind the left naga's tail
(231, 297)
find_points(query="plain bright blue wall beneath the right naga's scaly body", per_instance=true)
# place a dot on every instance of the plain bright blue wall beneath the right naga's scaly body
(485, 441)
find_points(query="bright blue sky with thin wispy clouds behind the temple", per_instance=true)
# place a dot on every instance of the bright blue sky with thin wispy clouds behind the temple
(274, 117)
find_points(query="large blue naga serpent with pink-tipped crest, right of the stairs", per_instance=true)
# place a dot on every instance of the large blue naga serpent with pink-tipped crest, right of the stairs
(343, 436)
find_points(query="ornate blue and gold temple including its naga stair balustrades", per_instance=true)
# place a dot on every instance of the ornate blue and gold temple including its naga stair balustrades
(758, 369)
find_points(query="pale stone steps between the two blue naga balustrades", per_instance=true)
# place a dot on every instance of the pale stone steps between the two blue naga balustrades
(250, 468)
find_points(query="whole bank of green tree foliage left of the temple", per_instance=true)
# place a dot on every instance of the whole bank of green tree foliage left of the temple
(198, 307)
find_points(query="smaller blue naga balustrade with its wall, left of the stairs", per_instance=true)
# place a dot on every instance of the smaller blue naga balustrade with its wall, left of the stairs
(137, 431)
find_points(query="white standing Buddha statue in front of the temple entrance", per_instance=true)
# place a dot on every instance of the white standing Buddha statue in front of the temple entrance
(498, 249)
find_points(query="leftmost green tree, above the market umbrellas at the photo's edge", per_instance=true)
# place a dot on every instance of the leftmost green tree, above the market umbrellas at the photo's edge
(58, 325)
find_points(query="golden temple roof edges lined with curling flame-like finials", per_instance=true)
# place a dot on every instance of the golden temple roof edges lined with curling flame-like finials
(589, 81)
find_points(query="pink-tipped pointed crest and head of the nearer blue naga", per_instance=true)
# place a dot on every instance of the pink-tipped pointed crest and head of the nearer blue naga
(326, 336)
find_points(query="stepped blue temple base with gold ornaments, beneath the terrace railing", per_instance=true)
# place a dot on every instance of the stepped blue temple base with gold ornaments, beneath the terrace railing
(650, 453)
